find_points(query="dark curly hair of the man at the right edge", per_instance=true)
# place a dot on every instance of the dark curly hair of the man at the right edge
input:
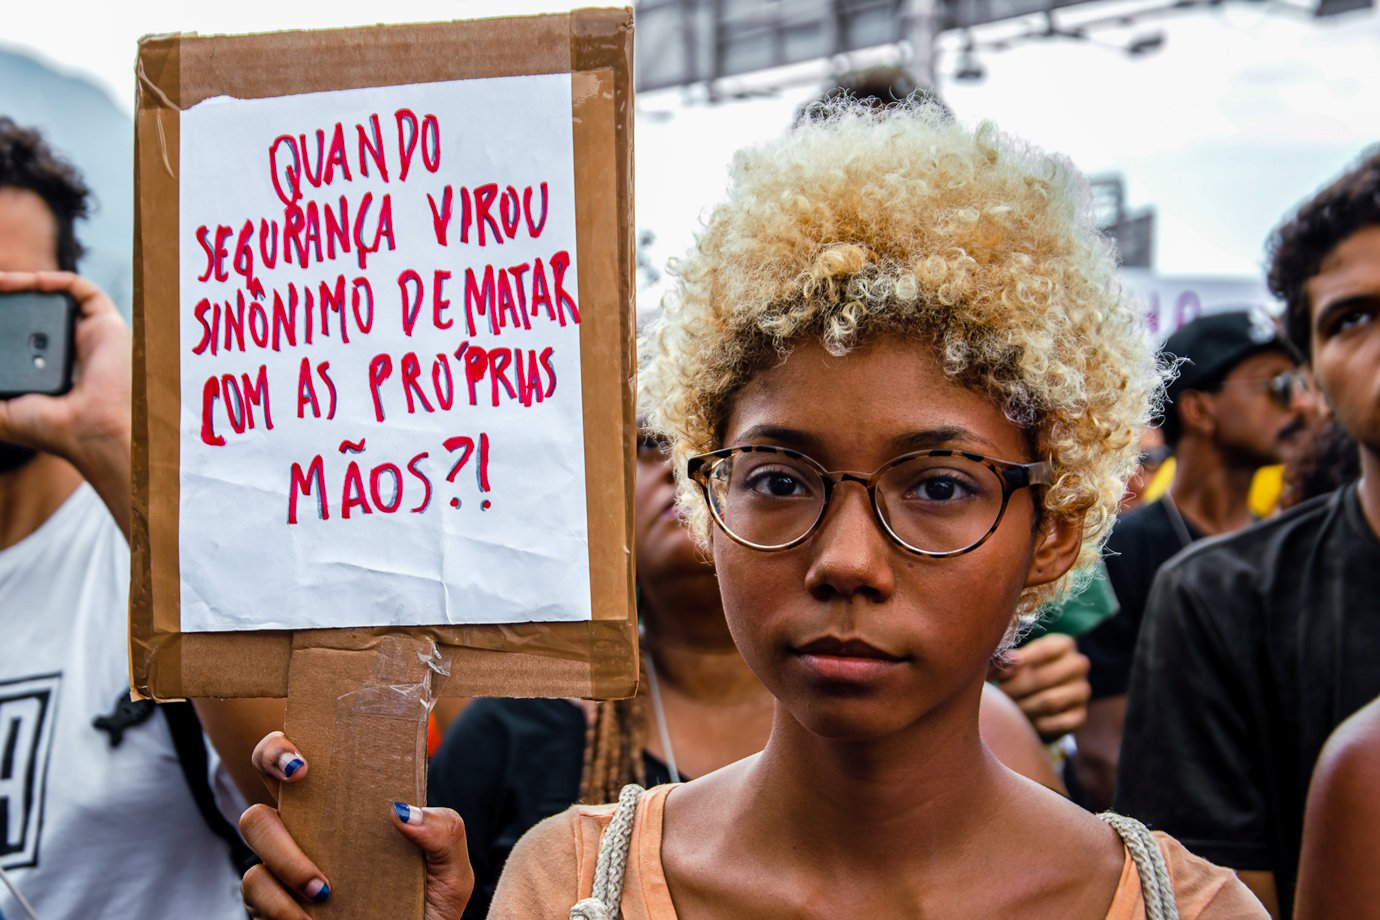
(1299, 246)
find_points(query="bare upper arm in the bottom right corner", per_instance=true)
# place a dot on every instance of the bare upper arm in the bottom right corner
(1339, 868)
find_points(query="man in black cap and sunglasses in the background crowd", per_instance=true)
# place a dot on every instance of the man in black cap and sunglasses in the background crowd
(1229, 413)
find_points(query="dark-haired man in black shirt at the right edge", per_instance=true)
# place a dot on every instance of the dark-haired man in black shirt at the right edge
(1256, 646)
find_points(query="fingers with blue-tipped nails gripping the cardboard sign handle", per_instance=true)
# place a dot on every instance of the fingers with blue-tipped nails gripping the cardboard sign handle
(288, 879)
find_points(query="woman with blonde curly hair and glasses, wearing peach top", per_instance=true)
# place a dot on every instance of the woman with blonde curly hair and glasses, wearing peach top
(902, 390)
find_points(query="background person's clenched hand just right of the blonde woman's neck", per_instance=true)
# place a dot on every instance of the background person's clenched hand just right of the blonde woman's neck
(1048, 679)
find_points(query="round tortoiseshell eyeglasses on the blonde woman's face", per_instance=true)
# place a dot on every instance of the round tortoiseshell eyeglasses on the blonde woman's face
(936, 503)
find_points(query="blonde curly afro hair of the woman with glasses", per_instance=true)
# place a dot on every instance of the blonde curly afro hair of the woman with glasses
(902, 223)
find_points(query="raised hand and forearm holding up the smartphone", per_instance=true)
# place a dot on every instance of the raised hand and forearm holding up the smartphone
(89, 426)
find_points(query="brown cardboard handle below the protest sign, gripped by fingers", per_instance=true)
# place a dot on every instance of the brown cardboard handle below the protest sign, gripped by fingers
(359, 718)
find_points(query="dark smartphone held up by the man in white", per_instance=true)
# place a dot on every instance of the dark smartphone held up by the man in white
(38, 333)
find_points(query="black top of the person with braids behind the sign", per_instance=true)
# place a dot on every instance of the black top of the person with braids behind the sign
(507, 765)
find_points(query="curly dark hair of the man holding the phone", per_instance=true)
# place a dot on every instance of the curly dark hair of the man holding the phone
(27, 162)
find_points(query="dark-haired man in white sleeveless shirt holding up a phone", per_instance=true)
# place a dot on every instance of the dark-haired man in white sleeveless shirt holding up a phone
(97, 820)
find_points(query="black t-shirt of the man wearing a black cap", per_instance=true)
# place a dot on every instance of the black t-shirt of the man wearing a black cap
(1139, 546)
